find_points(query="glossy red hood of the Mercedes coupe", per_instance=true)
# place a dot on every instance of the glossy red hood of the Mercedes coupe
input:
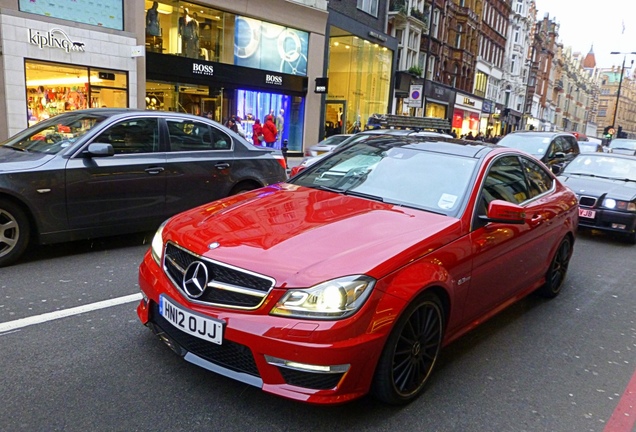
(301, 236)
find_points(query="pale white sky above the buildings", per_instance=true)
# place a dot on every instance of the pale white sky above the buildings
(607, 25)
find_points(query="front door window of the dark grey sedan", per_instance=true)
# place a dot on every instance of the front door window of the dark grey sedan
(132, 136)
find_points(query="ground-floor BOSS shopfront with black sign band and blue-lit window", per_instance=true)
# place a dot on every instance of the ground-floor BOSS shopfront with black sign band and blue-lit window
(200, 87)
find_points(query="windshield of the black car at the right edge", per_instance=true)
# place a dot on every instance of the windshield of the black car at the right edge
(600, 165)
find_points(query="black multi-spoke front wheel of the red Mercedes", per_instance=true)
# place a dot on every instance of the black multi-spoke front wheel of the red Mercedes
(410, 352)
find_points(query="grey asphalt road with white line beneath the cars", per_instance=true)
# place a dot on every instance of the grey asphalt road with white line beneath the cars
(561, 365)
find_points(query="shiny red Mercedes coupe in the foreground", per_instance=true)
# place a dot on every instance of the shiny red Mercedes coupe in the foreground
(350, 277)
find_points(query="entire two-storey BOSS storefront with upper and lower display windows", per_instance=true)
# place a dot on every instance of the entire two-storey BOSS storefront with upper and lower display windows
(212, 58)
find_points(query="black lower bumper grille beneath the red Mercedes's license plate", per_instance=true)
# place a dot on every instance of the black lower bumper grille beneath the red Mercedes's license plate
(230, 355)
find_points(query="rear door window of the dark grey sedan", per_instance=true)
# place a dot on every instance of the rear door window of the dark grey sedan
(186, 135)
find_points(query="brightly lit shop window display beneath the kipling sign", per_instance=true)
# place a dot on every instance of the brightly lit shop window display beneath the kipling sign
(54, 88)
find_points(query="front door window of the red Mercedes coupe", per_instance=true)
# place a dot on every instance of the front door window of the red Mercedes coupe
(505, 181)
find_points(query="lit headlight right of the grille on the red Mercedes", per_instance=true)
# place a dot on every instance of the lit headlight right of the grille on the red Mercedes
(334, 299)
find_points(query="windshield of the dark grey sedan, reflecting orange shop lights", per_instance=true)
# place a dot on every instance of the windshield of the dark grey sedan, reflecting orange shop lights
(53, 135)
